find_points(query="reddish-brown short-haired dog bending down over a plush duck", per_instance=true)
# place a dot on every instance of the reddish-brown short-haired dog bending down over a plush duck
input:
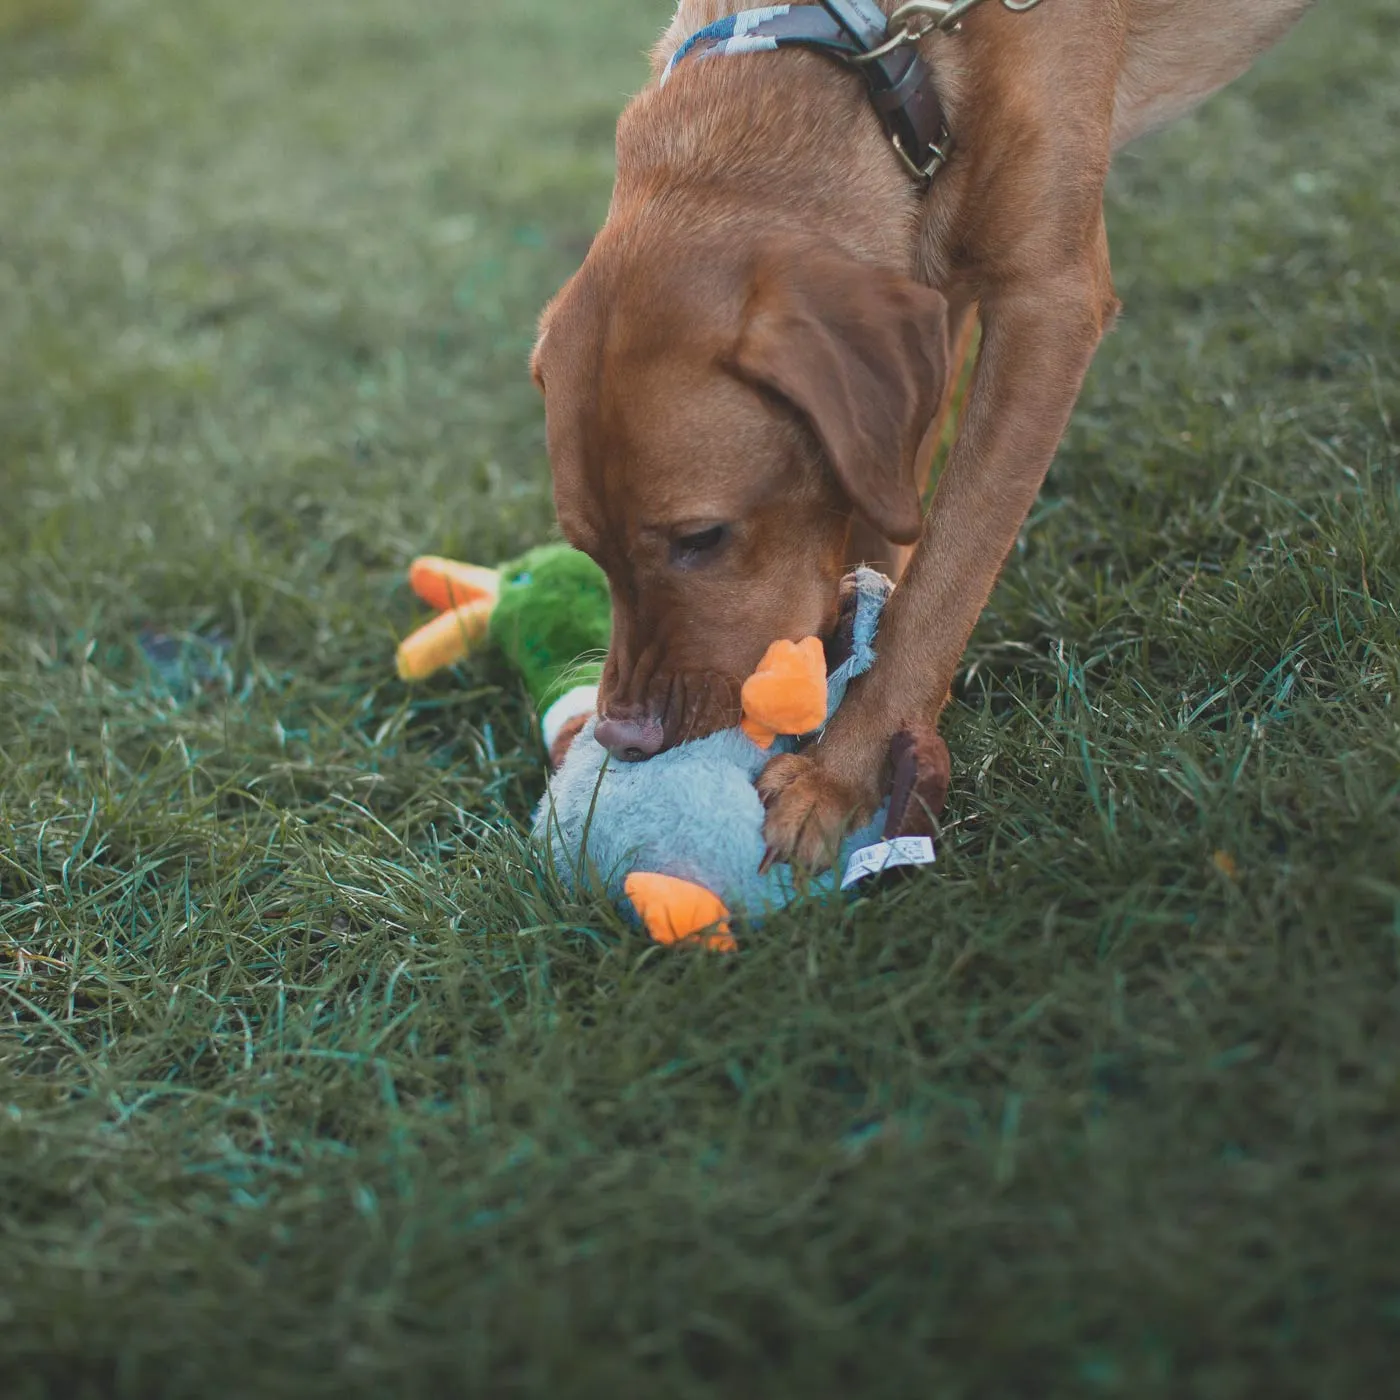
(765, 334)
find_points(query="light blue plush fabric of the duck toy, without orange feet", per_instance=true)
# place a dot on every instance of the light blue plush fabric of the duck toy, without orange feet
(691, 813)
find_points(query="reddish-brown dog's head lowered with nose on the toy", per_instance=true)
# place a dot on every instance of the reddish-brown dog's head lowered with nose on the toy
(719, 409)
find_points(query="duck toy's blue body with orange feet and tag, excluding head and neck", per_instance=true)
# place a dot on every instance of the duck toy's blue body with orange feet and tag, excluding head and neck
(678, 842)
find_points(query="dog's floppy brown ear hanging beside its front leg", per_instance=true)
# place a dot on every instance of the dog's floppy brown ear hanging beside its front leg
(862, 355)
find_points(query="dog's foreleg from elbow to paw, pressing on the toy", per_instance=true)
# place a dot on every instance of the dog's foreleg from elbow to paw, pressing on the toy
(1039, 337)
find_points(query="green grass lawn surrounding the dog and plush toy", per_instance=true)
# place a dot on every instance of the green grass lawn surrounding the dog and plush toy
(310, 1087)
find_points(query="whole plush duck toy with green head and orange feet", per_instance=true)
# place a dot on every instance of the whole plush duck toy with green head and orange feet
(675, 842)
